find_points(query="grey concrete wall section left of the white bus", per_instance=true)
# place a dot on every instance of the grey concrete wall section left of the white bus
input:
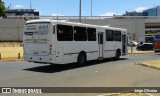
(11, 29)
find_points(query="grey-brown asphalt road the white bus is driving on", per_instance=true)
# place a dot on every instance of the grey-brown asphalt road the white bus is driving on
(106, 73)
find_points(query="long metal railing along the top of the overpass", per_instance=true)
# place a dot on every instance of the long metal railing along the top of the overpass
(83, 17)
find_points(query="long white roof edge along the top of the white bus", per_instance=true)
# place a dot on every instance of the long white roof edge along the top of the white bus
(73, 23)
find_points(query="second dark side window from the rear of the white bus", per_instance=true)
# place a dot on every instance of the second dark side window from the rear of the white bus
(80, 33)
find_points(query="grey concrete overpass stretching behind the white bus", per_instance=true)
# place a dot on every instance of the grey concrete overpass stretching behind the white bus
(12, 27)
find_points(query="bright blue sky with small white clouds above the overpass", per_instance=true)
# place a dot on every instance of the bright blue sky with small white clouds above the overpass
(71, 7)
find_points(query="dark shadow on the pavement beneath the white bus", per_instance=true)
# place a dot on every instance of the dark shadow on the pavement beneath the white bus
(58, 68)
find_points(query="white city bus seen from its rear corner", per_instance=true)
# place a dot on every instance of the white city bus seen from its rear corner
(61, 42)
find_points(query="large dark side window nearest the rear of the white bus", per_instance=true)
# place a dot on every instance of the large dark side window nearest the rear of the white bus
(64, 33)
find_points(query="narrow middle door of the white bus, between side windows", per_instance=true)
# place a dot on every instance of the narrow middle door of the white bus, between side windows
(100, 43)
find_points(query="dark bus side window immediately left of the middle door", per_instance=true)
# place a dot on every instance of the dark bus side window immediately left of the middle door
(91, 34)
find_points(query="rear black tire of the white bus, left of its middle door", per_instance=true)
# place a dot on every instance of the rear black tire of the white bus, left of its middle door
(81, 60)
